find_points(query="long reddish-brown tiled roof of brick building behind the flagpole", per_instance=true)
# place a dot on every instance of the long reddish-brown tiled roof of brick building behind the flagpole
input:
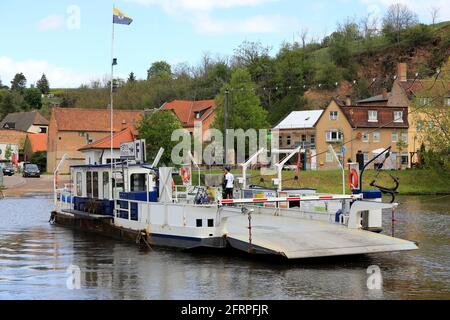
(78, 119)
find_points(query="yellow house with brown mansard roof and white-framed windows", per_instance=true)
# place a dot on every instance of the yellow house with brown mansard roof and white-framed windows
(361, 128)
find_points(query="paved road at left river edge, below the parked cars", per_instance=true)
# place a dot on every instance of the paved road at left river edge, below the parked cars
(17, 186)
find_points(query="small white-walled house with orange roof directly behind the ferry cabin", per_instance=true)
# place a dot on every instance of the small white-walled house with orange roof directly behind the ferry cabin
(99, 152)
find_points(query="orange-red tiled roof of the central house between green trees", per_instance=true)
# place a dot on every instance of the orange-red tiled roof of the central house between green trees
(186, 110)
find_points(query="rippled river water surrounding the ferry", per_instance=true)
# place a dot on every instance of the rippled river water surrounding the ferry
(35, 257)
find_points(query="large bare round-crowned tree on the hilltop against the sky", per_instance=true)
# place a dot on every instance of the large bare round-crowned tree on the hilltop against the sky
(397, 18)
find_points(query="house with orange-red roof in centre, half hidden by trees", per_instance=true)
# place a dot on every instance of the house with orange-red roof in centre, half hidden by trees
(191, 113)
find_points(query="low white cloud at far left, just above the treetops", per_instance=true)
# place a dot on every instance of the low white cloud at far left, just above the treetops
(33, 69)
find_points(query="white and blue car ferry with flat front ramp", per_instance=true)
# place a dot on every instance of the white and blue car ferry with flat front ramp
(139, 202)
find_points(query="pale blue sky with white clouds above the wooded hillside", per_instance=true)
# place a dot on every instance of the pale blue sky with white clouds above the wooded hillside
(70, 40)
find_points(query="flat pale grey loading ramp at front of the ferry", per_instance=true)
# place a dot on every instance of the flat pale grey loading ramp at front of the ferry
(302, 238)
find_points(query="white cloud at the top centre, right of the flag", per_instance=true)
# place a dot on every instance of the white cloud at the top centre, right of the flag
(200, 14)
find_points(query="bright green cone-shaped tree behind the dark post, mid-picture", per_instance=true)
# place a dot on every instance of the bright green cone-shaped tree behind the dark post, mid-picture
(245, 111)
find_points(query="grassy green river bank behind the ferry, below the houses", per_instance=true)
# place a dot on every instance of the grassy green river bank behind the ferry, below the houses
(412, 182)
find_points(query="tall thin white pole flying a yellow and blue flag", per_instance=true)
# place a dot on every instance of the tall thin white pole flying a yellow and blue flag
(118, 18)
